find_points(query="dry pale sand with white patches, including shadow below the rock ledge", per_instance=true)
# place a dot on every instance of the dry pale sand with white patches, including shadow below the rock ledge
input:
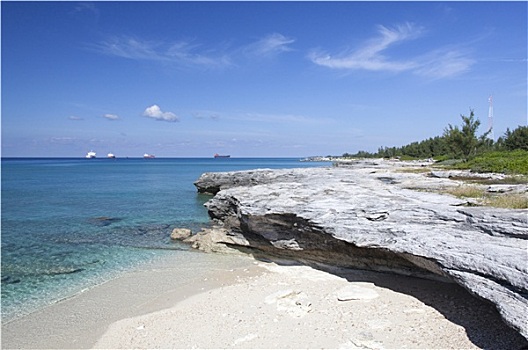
(303, 307)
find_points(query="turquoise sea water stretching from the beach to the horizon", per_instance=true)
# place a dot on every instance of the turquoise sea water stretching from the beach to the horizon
(69, 224)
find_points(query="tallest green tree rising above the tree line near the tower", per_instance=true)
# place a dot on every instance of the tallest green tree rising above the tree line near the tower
(463, 142)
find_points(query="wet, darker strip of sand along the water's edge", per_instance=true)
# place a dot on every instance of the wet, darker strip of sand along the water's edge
(79, 321)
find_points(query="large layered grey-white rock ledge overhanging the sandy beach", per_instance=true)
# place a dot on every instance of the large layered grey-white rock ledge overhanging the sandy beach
(373, 216)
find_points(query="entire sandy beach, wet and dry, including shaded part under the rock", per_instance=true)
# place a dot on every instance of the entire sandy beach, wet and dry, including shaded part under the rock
(254, 304)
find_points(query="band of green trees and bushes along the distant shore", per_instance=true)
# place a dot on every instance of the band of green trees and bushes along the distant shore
(461, 148)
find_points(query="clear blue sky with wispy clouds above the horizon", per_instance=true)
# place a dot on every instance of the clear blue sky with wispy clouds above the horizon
(254, 79)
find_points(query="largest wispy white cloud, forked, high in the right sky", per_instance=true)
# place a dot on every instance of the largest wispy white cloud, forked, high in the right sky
(440, 63)
